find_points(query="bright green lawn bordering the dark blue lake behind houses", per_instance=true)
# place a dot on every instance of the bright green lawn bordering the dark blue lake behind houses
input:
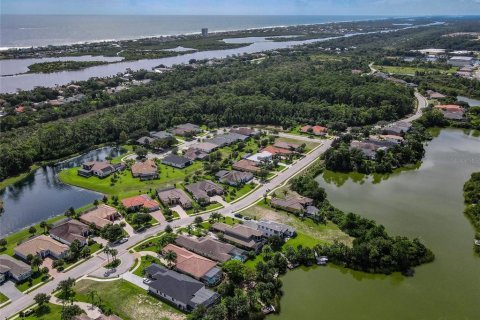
(127, 185)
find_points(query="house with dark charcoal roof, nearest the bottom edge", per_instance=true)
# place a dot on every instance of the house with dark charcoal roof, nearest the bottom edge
(180, 290)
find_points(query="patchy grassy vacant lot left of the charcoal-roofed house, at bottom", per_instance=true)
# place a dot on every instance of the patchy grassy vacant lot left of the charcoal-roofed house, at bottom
(128, 300)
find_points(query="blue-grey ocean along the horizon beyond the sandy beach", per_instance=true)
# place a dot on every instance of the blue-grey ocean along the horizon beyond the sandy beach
(43, 30)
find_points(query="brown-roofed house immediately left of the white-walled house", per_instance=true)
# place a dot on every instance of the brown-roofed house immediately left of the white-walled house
(240, 235)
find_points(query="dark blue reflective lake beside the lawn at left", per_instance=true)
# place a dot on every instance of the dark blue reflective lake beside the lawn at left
(42, 195)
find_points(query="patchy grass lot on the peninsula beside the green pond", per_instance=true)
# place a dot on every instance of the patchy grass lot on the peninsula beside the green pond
(308, 228)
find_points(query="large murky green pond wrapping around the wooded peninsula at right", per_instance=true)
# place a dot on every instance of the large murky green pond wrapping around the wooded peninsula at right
(424, 202)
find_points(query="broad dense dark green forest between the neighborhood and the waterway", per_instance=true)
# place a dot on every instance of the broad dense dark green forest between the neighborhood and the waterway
(284, 90)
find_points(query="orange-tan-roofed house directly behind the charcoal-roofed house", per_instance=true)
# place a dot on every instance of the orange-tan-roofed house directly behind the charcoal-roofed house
(196, 266)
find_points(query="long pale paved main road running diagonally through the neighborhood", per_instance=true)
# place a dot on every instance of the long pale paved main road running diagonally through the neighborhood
(94, 265)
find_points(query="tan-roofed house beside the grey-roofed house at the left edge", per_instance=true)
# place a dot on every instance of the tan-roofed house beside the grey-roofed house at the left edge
(42, 246)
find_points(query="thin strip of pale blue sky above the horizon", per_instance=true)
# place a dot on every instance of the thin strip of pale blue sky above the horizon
(243, 7)
